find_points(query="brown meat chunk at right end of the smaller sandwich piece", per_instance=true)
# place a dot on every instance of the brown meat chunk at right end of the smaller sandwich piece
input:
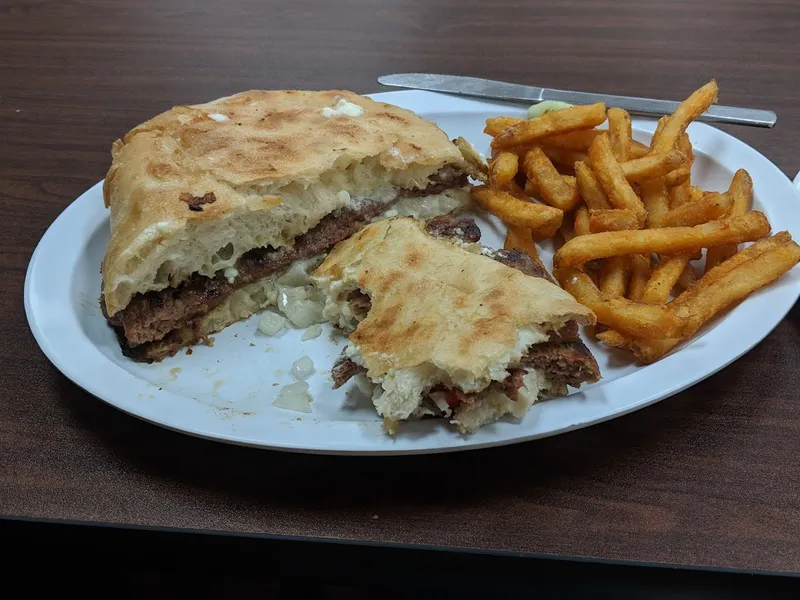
(563, 363)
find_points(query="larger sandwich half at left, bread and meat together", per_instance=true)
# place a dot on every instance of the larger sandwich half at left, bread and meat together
(219, 210)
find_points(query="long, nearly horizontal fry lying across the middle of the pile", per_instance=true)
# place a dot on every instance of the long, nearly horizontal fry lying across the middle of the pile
(668, 240)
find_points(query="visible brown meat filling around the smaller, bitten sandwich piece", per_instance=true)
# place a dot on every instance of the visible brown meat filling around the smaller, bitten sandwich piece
(564, 359)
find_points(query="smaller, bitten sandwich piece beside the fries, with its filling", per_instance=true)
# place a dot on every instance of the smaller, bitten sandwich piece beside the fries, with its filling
(445, 327)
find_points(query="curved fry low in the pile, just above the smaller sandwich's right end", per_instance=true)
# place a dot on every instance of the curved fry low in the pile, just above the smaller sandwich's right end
(630, 318)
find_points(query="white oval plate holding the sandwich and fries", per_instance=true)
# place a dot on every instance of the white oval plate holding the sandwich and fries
(226, 392)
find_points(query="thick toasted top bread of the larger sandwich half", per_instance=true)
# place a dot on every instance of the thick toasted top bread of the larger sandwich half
(194, 188)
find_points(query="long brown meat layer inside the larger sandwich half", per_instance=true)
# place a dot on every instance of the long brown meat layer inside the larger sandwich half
(156, 325)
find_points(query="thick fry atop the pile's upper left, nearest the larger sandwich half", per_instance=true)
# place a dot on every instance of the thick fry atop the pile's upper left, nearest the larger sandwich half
(551, 123)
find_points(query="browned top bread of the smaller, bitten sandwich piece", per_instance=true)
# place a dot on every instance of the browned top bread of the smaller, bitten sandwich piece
(440, 312)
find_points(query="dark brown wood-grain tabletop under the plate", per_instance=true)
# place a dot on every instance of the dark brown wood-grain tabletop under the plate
(708, 477)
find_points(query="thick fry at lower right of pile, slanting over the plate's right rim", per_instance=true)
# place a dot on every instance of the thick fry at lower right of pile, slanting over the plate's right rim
(732, 281)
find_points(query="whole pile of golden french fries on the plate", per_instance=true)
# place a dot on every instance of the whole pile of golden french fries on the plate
(632, 224)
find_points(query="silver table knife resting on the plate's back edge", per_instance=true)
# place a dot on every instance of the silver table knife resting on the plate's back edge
(498, 90)
